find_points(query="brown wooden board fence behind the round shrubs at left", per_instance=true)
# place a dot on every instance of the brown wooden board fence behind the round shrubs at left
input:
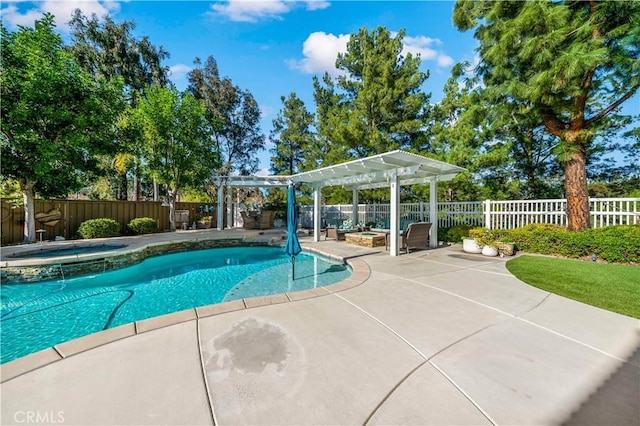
(74, 212)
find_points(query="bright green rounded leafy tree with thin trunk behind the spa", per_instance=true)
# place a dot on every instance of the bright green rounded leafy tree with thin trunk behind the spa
(178, 140)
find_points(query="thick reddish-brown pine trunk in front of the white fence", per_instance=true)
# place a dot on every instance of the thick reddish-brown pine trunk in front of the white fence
(577, 192)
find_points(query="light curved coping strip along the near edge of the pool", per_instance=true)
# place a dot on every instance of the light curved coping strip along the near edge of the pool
(15, 368)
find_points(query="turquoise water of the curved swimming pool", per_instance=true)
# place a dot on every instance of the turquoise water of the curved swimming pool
(39, 315)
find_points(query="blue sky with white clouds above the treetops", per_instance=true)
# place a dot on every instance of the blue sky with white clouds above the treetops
(273, 47)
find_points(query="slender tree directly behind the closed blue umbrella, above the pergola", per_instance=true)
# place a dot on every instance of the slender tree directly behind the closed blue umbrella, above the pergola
(291, 136)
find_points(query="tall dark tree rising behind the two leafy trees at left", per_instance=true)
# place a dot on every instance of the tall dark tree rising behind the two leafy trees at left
(109, 50)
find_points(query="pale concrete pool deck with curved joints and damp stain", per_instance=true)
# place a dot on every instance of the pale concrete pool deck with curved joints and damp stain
(432, 337)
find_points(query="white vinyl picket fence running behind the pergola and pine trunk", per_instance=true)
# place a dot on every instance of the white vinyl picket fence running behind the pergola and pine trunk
(488, 213)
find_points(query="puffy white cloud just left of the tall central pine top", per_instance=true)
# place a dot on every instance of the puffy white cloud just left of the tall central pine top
(320, 51)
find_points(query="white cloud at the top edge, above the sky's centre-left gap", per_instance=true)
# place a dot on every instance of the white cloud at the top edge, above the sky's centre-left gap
(251, 11)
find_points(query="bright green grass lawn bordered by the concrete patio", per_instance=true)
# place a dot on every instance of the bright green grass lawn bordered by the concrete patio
(612, 287)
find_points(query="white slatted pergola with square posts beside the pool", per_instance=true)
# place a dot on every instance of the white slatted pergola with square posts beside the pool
(390, 169)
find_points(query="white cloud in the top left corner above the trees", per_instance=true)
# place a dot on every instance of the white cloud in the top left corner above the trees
(62, 10)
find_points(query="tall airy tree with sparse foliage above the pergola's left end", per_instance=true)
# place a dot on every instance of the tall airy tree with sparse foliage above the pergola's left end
(234, 115)
